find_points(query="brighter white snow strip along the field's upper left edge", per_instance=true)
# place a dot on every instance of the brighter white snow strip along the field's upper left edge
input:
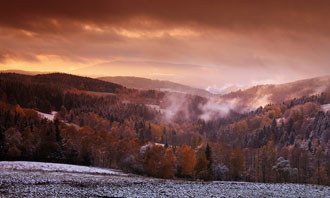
(54, 167)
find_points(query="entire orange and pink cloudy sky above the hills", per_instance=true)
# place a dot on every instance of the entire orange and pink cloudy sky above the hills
(210, 44)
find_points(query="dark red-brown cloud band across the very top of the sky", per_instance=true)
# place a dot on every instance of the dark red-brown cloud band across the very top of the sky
(299, 15)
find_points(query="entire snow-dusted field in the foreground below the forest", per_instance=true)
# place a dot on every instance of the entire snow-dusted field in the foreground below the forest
(56, 180)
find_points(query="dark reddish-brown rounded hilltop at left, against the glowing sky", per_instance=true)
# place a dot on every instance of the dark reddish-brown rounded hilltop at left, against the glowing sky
(65, 81)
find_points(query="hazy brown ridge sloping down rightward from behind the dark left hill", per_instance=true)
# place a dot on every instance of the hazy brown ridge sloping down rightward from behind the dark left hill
(148, 84)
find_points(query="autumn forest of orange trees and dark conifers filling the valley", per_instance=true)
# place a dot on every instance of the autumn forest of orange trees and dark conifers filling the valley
(103, 124)
